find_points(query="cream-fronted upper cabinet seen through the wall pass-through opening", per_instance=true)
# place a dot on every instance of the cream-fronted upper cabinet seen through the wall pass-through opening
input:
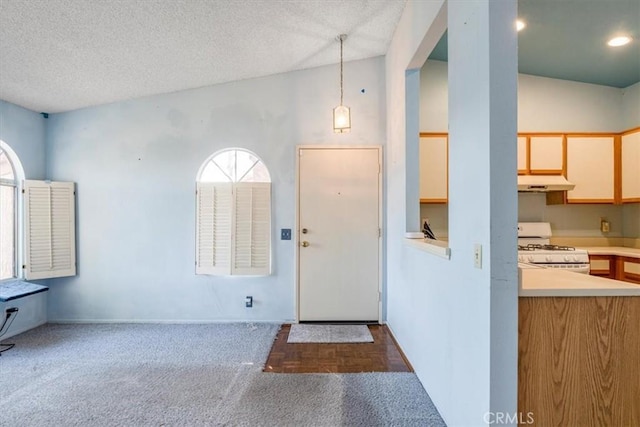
(434, 162)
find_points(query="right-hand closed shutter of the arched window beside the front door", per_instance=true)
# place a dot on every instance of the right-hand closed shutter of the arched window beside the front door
(252, 228)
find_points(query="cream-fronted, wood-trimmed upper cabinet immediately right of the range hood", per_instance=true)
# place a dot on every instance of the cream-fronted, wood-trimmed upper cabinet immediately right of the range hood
(591, 167)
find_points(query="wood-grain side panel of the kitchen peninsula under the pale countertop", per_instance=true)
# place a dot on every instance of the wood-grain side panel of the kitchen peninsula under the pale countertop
(578, 360)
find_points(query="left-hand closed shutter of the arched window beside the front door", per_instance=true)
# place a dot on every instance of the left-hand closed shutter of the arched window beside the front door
(213, 223)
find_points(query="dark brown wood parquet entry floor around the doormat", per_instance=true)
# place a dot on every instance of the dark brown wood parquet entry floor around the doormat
(382, 355)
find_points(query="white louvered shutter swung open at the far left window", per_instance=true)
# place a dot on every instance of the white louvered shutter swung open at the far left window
(50, 249)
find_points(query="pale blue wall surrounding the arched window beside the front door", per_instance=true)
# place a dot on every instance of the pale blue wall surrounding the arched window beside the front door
(135, 165)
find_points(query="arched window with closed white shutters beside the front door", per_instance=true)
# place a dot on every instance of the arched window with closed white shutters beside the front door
(233, 216)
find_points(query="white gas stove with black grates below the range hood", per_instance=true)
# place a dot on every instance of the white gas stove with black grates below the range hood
(534, 248)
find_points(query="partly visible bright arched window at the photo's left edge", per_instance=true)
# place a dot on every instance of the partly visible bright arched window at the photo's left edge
(8, 217)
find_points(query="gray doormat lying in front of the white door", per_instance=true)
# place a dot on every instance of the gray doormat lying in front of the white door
(302, 333)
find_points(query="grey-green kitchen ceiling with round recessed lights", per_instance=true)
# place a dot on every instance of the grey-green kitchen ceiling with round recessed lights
(566, 39)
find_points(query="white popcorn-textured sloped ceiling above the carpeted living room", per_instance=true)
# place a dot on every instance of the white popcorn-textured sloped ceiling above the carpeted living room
(60, 55)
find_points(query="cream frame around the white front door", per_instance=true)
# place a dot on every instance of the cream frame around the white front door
(296, 239)
